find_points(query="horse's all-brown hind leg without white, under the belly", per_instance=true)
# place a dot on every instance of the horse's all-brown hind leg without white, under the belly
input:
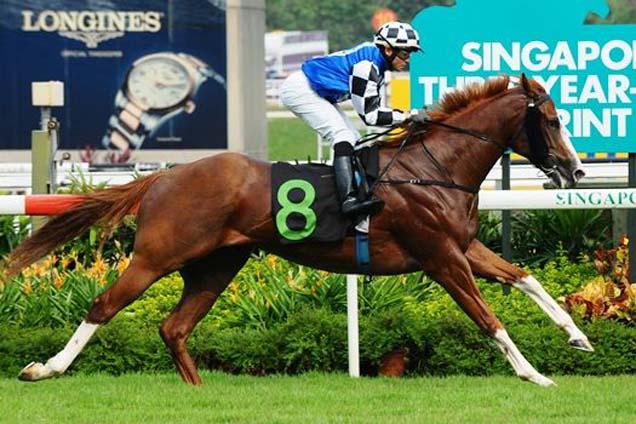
(204, 281)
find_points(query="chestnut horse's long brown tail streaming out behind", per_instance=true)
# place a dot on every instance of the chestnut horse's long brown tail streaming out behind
(104, 207)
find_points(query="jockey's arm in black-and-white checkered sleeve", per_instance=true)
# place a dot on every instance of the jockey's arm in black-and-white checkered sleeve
(365, 95)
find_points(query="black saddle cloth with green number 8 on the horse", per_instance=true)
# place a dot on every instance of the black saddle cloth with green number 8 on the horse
(305, 206)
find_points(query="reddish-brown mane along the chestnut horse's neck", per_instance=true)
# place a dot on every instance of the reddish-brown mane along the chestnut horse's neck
(458, 100)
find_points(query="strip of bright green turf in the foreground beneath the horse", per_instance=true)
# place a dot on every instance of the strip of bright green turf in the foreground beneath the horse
(316, 398)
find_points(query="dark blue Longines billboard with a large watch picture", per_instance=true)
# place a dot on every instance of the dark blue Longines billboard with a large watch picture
(138, 74)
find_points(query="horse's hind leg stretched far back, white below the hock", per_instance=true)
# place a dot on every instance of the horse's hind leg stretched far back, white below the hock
(130, 285)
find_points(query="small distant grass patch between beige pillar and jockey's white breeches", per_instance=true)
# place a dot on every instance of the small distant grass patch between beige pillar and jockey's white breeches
(290, 139)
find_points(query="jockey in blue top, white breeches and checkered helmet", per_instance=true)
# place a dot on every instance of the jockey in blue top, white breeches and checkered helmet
(357, 74)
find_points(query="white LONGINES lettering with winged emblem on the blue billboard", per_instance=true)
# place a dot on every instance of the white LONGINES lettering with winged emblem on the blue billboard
(91, 27)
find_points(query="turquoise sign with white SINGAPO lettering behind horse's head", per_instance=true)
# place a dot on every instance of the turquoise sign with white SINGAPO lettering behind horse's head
(589, 70)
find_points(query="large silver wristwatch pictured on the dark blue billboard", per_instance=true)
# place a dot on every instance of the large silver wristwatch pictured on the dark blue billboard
(156, 88)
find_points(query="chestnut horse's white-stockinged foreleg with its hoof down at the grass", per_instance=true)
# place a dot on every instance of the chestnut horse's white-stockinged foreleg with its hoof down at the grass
(454, 274)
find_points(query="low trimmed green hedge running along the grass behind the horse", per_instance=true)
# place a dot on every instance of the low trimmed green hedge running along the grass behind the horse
(316, 339)
